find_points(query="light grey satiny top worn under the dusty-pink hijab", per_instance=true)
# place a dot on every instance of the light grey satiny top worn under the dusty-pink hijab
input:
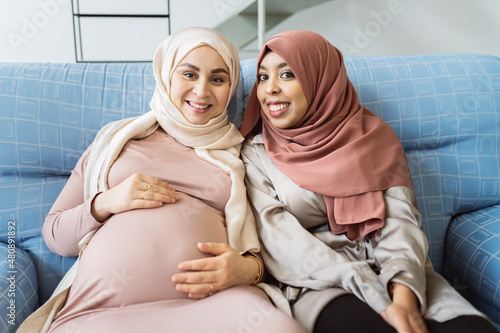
(313, 266)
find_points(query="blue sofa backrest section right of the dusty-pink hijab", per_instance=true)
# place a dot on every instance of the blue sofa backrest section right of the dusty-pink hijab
(445, 110)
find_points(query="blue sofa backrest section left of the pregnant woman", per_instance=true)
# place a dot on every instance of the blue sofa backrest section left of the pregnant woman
(49, 114)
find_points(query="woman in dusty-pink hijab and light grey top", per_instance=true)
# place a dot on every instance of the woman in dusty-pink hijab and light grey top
(334, 202)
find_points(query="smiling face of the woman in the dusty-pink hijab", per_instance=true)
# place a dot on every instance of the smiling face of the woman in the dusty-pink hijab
(279, 92)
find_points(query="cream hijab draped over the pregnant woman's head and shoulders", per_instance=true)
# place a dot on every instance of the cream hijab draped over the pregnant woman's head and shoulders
(217, 141)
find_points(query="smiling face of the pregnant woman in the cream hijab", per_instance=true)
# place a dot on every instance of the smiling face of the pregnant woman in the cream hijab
(200, 85)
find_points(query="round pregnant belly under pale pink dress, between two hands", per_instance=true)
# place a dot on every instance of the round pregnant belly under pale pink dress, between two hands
(133, 256)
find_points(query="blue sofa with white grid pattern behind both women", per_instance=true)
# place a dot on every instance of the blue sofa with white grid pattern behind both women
(444, 108)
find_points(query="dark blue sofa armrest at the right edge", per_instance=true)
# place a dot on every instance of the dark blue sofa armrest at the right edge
(472, 255)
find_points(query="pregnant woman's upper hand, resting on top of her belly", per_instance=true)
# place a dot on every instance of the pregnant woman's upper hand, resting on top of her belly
(137, 191)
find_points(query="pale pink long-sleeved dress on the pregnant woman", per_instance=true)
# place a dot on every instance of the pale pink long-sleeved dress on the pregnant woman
(123, 283)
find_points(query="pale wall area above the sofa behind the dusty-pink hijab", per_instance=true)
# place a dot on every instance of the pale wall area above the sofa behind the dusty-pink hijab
(382, 27)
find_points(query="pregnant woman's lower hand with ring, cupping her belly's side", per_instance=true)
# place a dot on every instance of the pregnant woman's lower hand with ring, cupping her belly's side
(226, 269)
